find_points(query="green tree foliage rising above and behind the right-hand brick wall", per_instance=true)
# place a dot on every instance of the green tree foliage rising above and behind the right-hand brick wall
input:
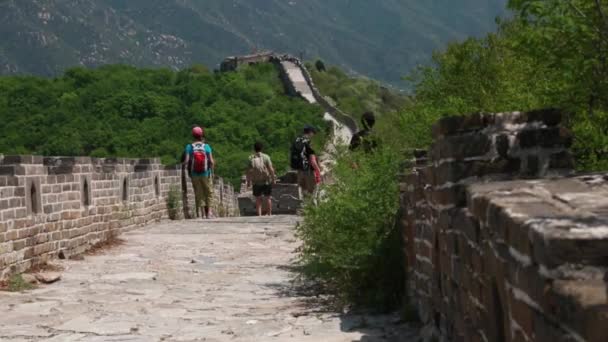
(550, 54)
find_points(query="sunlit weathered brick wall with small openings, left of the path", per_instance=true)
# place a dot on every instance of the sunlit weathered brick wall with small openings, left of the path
(51, 206)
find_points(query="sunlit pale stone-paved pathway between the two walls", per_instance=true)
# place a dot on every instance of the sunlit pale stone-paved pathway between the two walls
(221, 280)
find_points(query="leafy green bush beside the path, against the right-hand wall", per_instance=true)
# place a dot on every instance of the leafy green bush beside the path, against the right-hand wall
(350, 241)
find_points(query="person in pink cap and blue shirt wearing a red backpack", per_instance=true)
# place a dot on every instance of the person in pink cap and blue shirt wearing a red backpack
(199, 158)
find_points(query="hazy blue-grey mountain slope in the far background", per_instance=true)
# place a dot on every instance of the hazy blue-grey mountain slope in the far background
(382, 39)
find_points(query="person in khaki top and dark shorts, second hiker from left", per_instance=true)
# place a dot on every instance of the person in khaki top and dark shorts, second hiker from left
(261, 175)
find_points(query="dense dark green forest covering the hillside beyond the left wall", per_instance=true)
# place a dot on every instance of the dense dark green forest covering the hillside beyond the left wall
(129, 112)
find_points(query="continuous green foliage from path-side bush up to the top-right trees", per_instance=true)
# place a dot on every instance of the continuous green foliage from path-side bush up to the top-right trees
(551, 54)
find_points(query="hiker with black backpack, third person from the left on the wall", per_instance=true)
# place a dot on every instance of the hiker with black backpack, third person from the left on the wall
(304, 160)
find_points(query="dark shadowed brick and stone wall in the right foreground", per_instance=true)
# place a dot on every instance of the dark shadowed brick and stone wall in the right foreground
(502, 241)
